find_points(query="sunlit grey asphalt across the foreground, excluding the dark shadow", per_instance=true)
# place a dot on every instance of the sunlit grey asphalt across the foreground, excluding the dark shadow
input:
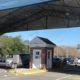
(41, 76)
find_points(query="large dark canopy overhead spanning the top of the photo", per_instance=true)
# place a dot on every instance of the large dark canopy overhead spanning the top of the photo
(44, 15)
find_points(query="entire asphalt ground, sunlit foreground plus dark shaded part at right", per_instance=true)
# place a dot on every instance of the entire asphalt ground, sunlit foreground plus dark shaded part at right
(70, 73)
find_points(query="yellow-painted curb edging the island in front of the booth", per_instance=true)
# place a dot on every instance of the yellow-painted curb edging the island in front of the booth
(27, 73)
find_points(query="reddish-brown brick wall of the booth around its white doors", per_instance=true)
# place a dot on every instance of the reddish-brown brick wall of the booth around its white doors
(43, 56)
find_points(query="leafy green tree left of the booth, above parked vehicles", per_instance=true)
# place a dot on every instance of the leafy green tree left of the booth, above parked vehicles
(10, 45)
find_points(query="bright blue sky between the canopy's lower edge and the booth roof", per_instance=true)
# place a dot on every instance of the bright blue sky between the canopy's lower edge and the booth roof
(61, 37)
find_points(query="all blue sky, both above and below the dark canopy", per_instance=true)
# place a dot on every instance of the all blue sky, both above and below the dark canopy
(65, 36)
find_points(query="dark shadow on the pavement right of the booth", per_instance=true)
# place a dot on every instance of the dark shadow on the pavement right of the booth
(70, 69)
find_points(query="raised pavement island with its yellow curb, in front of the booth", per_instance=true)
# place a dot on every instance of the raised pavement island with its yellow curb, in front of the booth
(23, 71)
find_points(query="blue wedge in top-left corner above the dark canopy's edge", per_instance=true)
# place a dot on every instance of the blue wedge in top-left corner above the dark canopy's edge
(5, 4)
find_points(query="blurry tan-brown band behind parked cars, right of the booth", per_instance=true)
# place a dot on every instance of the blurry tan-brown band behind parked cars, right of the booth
(64, 51)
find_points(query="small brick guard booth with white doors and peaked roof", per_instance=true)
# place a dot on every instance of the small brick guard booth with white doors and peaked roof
(41, 53)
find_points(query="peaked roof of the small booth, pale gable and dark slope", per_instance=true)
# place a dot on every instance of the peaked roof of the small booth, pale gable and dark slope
(39, 42)
